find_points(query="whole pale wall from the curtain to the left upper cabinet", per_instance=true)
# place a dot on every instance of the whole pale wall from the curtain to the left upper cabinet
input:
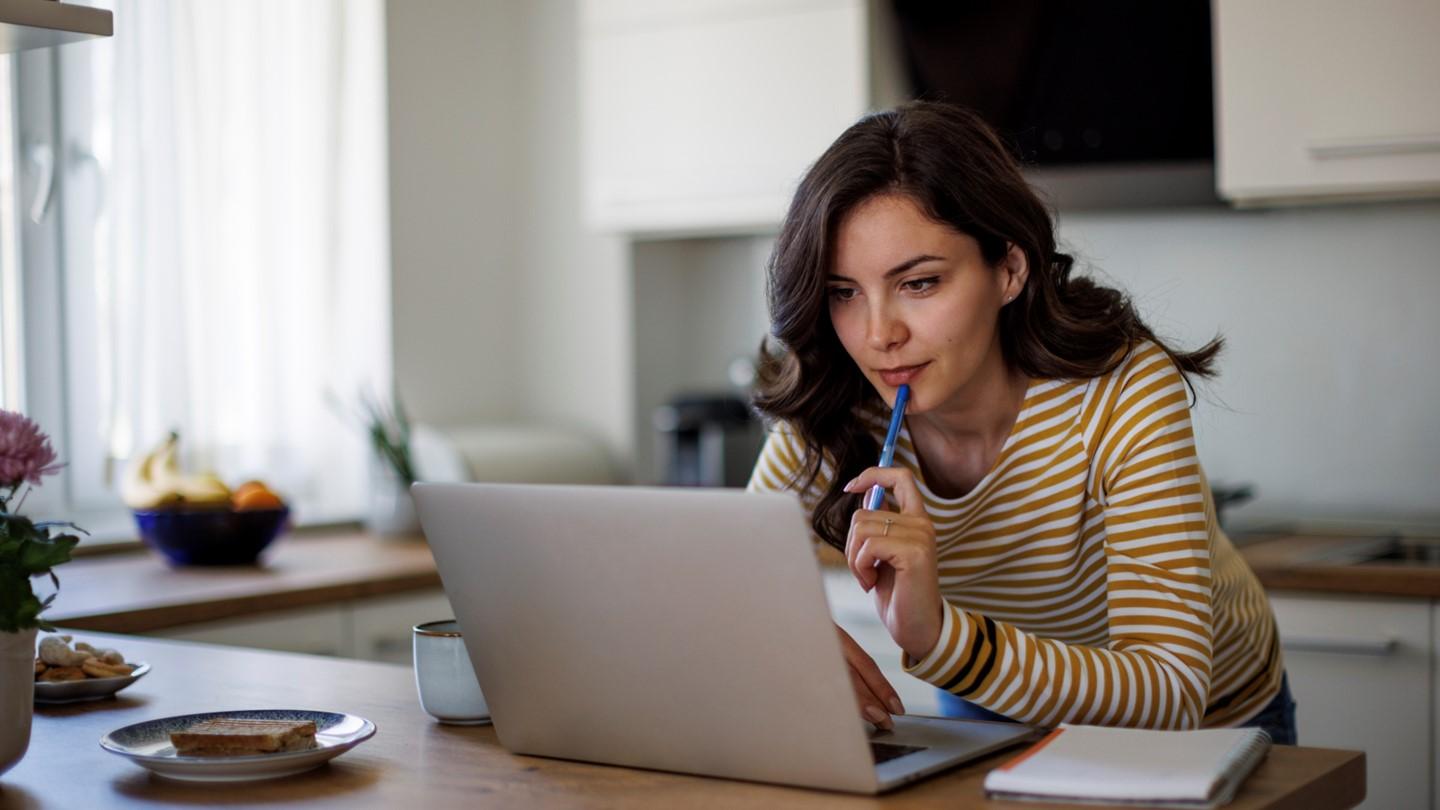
(506, 311)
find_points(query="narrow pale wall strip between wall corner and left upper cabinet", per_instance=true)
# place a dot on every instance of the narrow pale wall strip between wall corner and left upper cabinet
(574, 301)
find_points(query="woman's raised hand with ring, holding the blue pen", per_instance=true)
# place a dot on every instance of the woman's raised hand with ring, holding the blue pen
(894, 556)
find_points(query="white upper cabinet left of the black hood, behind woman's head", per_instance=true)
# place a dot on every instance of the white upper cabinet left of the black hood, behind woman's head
(702, 116)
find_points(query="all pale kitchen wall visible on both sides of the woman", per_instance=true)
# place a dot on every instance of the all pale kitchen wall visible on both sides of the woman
(509, 311)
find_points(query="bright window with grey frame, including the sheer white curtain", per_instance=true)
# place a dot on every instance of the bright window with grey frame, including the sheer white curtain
(214, 253)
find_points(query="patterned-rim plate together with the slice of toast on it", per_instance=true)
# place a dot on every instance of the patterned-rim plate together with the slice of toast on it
(246, 746)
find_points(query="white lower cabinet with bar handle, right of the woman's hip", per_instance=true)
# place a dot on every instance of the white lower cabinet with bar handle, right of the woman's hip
(1362, 675)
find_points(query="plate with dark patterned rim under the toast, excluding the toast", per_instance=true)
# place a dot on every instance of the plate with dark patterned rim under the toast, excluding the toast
(148, 744)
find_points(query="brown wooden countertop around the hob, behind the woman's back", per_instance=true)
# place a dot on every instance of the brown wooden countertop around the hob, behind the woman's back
(1298, 563)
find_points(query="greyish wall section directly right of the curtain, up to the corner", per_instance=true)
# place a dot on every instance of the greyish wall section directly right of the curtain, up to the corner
(456, 171)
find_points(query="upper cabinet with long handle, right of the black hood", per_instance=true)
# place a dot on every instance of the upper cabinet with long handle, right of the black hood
(1327, 100)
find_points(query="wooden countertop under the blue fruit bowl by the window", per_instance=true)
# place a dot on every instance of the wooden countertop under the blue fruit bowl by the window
(139, 593)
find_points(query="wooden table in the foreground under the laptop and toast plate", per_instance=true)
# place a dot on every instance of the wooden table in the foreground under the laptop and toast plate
(417, 763)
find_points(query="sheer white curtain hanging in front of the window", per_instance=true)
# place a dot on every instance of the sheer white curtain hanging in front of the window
(241, 249)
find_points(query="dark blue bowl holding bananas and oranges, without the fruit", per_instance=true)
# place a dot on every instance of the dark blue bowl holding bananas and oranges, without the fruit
(217, 537)
